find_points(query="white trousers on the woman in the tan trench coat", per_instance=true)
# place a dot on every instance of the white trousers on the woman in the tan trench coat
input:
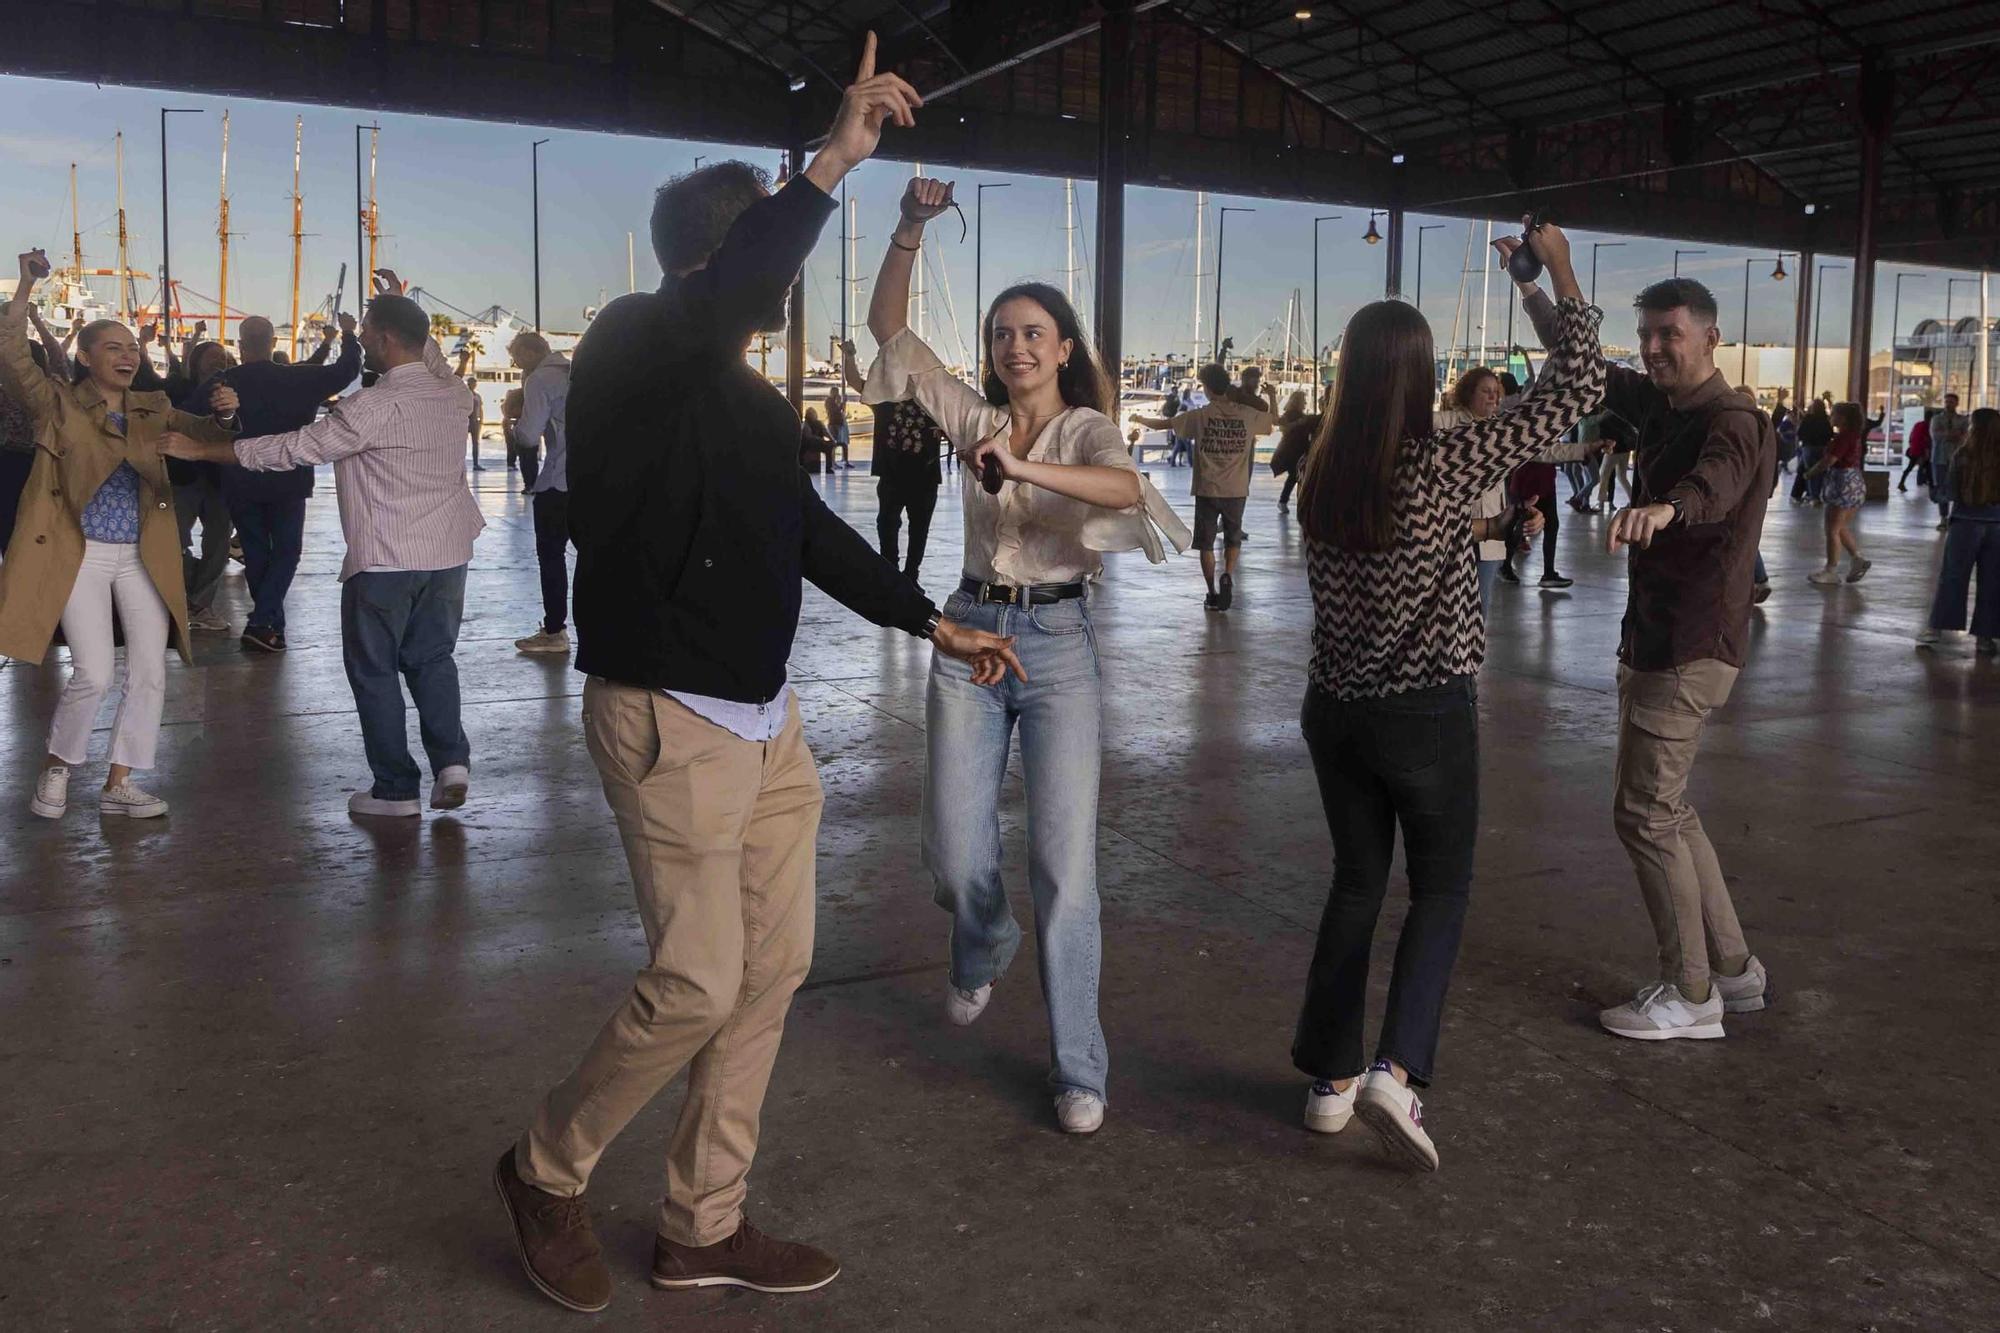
(113, 573)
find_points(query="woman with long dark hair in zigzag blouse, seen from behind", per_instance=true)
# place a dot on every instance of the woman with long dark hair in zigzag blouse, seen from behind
(1391, 718)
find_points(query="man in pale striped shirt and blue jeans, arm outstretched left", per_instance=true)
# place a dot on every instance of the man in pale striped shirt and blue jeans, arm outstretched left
(409, 519)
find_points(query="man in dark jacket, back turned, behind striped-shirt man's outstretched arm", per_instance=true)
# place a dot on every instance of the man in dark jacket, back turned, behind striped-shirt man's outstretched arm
(271, 507)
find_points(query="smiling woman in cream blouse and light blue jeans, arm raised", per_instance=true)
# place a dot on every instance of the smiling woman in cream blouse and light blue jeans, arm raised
(1067, 493)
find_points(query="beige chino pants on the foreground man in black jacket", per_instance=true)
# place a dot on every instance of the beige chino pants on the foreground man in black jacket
(721, 838)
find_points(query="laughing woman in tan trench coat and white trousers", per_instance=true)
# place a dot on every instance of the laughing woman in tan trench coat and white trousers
(97, 531)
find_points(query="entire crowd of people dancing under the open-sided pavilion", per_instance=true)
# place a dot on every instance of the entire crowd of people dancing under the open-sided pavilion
(695, 531)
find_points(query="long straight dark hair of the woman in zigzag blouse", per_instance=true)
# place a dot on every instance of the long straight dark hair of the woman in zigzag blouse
(1381, 399)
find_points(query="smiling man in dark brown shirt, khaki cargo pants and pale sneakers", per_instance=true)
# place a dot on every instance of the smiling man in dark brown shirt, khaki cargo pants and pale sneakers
(1703, 473)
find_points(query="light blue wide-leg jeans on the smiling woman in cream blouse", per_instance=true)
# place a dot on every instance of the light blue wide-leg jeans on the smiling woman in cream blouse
(969, 736)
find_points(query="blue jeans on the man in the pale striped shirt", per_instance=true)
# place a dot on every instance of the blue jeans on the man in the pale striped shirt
(405, 623)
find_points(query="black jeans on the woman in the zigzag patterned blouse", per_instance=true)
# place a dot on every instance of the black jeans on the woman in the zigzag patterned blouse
(1413, 762)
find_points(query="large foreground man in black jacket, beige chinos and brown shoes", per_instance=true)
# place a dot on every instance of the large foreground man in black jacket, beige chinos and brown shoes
(693, 527)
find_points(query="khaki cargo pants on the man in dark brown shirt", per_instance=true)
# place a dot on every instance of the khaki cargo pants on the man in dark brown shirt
(1661, 718)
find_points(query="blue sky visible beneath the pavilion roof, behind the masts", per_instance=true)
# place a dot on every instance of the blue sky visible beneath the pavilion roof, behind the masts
(457, 221)
